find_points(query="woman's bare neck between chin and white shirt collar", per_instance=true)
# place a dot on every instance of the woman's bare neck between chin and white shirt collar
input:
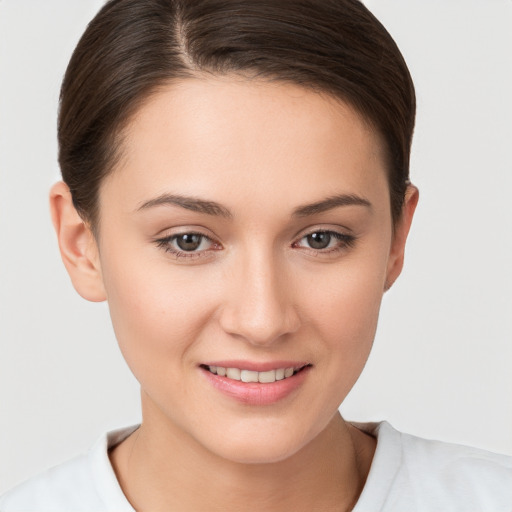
(162, 470)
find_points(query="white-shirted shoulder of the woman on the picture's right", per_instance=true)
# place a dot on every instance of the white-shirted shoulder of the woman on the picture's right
(411, 473)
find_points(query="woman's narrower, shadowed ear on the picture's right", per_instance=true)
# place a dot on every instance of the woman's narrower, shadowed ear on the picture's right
(396, 255)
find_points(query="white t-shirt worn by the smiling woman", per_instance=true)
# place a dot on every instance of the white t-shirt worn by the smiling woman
(408, 474)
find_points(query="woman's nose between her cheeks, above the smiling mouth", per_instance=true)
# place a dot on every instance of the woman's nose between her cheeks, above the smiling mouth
(260, 306)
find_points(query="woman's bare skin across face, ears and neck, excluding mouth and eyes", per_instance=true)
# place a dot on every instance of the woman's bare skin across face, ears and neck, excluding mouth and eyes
(256, 292)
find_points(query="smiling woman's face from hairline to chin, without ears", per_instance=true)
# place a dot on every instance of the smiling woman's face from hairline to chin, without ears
(247, 228)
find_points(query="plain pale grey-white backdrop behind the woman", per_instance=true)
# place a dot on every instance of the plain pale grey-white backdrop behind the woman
(441, 365)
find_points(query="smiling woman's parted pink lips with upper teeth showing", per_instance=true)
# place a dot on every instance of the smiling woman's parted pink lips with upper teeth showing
(256, 384)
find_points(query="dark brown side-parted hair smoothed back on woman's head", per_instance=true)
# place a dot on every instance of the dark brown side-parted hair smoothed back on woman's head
(132, 47)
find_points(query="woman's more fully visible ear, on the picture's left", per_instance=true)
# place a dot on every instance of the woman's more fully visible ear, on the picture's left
(78, 247)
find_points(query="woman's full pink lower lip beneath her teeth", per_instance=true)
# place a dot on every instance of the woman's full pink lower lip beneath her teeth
(254, 393)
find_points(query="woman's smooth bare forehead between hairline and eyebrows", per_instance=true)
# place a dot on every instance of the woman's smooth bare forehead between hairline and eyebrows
(227, 138)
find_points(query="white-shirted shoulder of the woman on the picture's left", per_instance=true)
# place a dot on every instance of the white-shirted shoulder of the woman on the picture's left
(85, 483)
